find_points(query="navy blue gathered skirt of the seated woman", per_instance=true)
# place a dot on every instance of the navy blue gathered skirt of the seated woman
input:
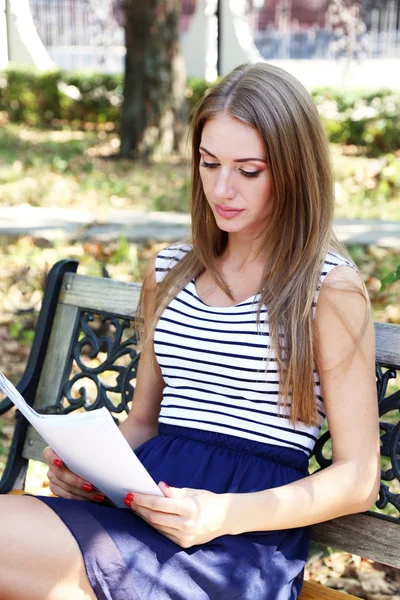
(126, 559)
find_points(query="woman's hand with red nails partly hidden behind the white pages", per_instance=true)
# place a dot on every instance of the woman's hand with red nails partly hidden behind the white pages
(65, 484)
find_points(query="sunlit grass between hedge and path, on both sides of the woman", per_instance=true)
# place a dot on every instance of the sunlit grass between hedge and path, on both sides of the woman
(76, 169)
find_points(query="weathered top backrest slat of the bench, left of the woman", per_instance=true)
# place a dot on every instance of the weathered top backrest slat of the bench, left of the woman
(100, 294)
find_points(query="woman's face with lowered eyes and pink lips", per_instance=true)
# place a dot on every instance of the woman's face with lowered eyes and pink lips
(235, 176)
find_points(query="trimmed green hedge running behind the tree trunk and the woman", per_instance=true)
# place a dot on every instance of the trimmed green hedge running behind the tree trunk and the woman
(367, 119)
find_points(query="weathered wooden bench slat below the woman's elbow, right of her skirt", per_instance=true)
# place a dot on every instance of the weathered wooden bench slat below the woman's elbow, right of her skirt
(363, 534)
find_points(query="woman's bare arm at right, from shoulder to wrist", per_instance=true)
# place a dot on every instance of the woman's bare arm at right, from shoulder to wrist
(351, 483)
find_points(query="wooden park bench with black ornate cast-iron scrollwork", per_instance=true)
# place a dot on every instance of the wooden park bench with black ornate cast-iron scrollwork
(84, 356)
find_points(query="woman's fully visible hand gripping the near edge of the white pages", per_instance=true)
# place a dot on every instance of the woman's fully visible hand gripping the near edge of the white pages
(186, 516)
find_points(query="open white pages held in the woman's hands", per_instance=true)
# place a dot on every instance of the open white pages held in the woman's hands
(91, 445)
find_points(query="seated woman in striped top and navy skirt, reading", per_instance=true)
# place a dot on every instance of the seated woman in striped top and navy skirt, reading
(254, 332)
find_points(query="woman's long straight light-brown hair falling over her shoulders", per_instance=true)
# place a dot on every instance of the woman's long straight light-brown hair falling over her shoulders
(299, 232)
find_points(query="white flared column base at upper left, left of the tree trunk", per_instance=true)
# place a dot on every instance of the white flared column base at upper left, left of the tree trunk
(25, 45)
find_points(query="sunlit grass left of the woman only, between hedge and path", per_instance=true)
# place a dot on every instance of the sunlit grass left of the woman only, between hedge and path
(76, 169)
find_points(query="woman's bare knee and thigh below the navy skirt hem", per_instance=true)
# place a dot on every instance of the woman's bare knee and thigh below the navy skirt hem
(39, 557)
